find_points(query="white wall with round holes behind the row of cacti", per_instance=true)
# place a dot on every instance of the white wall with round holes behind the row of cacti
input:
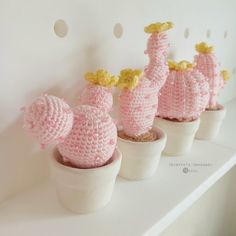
(33, 60)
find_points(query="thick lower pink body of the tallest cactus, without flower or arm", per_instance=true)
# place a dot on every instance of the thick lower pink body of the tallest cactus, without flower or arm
(138, 108)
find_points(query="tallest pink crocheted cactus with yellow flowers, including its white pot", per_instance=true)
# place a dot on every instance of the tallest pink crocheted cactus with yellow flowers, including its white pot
(140, 142)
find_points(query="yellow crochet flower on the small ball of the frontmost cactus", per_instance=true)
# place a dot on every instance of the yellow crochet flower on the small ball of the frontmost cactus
(102, 77)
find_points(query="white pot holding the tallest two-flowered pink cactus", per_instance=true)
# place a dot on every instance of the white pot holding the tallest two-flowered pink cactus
(140, 159)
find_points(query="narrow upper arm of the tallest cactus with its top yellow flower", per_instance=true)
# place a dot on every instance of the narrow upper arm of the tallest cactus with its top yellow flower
(157, 47)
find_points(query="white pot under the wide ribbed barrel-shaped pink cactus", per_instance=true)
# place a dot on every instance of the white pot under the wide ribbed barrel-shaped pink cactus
(180, 135)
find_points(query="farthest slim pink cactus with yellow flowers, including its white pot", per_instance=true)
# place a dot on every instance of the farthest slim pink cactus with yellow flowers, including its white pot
(212, 117)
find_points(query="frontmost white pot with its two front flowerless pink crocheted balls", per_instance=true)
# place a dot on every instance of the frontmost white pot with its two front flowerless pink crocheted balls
(85, 163)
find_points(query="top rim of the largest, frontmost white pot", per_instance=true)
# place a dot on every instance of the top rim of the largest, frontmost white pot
(116, 157)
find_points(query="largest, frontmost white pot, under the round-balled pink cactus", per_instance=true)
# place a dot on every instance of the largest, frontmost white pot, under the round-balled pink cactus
(84, 190)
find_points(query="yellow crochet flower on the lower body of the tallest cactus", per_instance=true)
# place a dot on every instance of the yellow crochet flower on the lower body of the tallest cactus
(129, 79)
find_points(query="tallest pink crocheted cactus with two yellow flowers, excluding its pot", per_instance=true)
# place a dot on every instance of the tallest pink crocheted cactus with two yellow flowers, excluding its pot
(139, 96)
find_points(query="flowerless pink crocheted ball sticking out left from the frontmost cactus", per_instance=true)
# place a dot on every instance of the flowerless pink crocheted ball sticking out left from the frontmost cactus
(48, 119)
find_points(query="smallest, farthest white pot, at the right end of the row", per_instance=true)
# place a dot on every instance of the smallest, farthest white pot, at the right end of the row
(210, 123)
